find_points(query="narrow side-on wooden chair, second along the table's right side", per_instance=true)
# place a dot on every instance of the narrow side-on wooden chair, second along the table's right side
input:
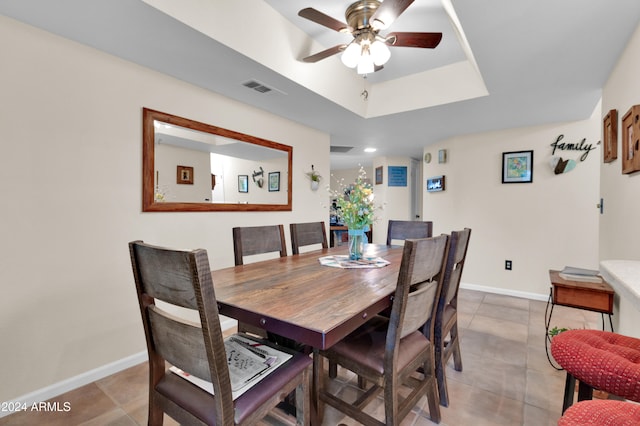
(446, 337)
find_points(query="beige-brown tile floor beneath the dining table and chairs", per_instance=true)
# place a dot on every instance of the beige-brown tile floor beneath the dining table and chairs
(507, 379)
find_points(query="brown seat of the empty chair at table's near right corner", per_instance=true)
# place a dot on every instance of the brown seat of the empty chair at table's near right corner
(370, 339)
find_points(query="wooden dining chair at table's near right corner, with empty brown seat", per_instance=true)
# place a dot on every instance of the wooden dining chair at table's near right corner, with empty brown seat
(387, 351)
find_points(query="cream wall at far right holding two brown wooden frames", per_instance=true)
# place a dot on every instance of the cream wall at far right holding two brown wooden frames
(619, 225)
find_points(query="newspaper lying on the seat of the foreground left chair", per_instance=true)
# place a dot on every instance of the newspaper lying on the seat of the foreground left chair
(249, 362)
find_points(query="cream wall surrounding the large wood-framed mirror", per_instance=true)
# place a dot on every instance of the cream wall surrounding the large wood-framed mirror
(70, 182)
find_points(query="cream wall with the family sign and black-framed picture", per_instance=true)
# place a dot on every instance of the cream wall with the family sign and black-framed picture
(549, 223)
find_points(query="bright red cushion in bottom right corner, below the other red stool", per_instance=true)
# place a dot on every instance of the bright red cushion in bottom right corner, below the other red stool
(602, 413)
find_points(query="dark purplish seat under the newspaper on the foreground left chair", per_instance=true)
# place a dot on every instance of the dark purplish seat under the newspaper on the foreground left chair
(200, 402)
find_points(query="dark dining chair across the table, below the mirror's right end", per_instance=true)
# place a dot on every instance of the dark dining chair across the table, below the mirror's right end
(252, 240)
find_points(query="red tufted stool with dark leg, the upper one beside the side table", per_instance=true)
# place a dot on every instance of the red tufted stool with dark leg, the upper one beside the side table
(598, 359)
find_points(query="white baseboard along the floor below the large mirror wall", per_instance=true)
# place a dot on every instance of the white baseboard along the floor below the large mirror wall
(77, 381)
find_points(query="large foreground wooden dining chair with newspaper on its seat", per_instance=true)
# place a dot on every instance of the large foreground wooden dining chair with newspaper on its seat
(183, 279)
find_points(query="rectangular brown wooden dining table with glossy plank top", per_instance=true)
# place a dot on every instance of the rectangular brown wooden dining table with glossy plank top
(298, 298)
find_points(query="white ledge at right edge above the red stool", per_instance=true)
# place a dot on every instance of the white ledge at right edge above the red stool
(624, 277)
